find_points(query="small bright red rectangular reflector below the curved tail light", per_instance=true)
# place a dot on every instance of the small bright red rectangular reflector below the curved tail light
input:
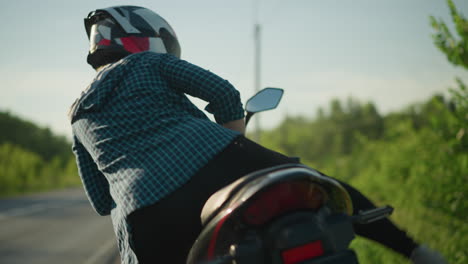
(301, 253)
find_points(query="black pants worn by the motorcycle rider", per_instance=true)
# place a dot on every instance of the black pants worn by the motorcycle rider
(164, 232)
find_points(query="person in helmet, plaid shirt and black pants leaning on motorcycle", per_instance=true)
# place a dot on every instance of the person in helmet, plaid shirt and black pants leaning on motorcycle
(150, 158)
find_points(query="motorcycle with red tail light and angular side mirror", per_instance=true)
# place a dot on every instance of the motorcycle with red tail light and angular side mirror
(288, 214)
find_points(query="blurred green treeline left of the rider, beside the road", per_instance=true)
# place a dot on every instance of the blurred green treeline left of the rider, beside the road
(32, 158)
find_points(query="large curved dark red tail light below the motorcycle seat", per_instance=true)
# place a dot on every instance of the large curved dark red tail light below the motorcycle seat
(281, 198)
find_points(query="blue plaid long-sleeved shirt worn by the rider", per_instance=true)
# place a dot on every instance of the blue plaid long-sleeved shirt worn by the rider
(137, 137)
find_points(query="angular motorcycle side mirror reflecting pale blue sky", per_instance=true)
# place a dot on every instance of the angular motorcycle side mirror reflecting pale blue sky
(266, 99)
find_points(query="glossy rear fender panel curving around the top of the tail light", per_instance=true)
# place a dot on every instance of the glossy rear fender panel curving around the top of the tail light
(220, 215)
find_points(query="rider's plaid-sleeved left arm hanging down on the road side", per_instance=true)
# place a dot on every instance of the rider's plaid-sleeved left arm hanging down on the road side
(94, 182)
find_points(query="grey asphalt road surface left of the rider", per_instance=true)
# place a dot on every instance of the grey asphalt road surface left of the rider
(55, 227)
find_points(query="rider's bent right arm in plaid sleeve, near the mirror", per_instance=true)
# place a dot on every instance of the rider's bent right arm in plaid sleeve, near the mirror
(224, 100)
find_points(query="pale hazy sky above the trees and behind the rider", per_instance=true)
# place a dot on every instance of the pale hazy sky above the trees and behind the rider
(372, 50)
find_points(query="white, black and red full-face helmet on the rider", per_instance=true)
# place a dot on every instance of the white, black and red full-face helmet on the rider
(118, 31)
